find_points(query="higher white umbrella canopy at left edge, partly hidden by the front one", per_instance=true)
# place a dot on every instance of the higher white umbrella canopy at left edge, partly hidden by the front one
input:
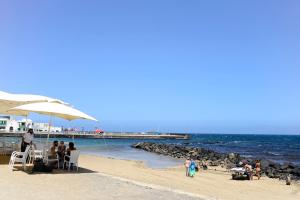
(8, 100)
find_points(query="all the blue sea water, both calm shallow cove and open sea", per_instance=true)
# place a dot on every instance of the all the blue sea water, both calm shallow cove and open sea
(278, 148)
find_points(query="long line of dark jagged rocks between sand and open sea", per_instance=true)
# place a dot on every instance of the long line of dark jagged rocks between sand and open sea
(269, 168)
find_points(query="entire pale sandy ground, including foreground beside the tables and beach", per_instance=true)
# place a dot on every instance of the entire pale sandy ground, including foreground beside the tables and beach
(108, 178)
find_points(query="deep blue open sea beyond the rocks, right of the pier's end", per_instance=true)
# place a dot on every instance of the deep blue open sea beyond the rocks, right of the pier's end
(279, 148)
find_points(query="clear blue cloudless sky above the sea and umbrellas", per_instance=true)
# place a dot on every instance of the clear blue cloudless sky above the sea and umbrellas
(173, 66)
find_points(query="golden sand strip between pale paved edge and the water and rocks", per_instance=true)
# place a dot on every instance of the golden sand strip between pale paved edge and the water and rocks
(211, 184)
